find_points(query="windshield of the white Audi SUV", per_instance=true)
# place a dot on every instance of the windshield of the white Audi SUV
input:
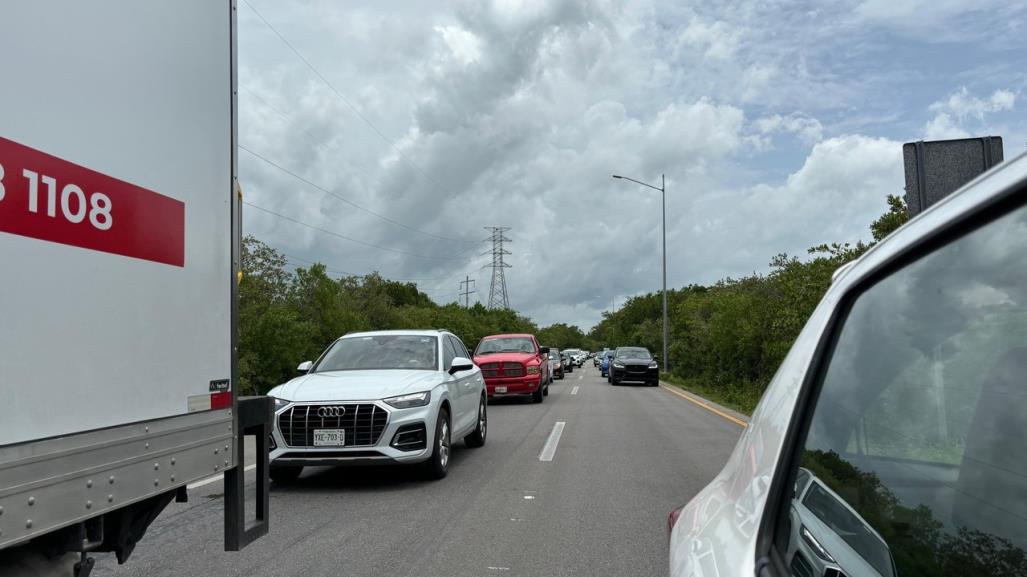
(382, 353)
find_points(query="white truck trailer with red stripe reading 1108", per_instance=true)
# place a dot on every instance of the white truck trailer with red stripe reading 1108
(120, 242)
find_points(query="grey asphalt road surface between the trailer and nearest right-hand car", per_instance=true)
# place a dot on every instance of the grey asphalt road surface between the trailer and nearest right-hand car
(627, 456)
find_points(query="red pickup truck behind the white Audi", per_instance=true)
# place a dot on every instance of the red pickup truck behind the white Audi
(514, 365)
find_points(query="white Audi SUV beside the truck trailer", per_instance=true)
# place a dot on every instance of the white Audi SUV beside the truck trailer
(381, 398)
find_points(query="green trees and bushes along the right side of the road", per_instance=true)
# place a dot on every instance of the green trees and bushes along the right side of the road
(729, 339)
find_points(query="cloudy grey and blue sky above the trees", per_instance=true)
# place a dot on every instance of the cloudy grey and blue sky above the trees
(385, 136)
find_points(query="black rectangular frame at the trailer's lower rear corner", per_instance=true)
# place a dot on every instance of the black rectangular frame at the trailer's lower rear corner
(254, 415)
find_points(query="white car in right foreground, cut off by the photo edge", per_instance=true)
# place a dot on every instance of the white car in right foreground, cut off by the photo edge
(893, 440)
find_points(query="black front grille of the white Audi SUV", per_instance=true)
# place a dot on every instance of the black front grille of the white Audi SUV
(364, 424)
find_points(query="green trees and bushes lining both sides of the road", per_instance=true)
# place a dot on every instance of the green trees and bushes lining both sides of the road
(727, 339)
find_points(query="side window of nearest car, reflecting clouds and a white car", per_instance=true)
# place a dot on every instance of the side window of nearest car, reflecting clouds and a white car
(916, 456)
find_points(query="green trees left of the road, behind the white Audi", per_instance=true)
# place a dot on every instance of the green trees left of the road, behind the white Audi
(290, 317)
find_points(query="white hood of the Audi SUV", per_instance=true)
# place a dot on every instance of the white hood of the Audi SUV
(357, 386)
